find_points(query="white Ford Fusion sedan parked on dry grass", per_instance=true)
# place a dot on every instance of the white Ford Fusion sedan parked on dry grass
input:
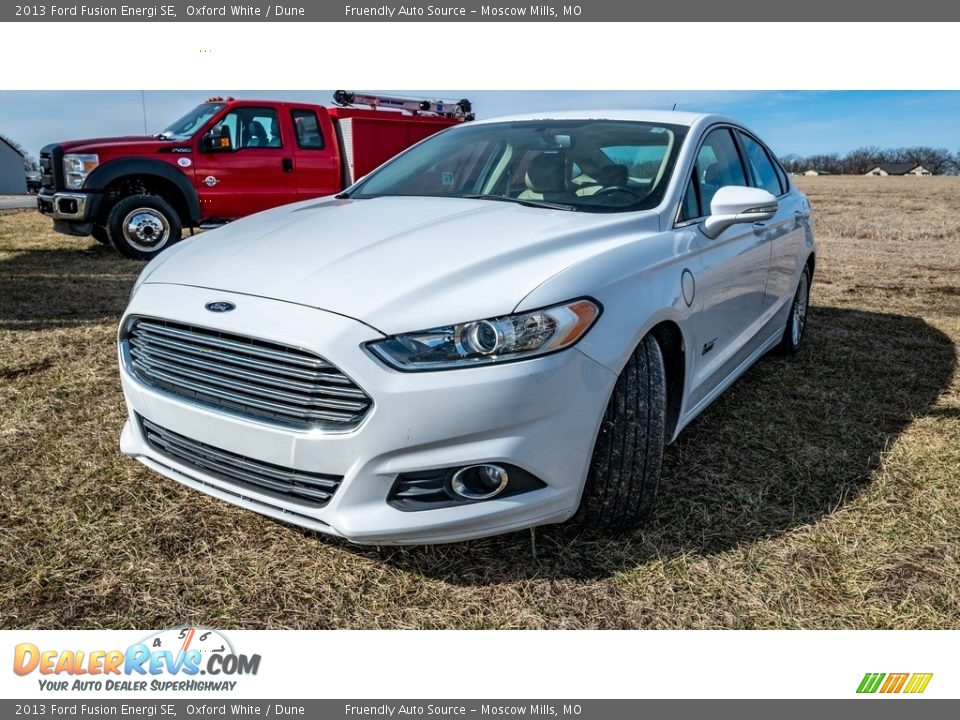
(500, 328)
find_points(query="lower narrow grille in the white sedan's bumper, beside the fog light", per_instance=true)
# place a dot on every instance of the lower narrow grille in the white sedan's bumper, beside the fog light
(306, 488)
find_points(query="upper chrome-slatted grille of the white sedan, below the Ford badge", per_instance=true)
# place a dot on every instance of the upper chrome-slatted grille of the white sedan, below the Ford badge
(254, 378)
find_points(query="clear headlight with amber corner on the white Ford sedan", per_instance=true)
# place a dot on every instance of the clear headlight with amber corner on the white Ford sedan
(483, 342)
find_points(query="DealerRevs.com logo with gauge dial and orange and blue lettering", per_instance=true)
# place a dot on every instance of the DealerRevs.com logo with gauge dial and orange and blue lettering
(178, 659)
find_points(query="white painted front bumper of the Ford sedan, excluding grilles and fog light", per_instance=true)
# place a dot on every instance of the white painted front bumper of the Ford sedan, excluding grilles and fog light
(540, 415)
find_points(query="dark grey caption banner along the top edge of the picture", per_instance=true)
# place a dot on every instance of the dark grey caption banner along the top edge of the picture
(473, 11)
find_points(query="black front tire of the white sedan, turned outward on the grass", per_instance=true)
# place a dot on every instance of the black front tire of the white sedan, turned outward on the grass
(624, 473)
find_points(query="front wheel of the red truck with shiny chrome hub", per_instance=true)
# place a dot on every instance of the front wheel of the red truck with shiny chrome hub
(140, 226)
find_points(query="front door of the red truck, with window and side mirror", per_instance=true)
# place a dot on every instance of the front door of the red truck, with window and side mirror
(255, 174)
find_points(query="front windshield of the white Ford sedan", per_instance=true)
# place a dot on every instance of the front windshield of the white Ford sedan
(588, 165)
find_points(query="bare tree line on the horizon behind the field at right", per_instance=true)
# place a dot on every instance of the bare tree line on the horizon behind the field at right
(938, 161)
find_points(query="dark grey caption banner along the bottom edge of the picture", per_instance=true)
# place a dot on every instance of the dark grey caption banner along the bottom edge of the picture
(872, 708)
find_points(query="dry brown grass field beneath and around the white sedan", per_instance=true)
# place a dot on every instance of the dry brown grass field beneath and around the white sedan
(819, 492)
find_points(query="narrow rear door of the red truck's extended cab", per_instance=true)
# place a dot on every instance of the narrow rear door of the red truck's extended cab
(316, 159)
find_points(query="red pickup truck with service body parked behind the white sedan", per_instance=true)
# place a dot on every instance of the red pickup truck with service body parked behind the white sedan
(223, 160)
